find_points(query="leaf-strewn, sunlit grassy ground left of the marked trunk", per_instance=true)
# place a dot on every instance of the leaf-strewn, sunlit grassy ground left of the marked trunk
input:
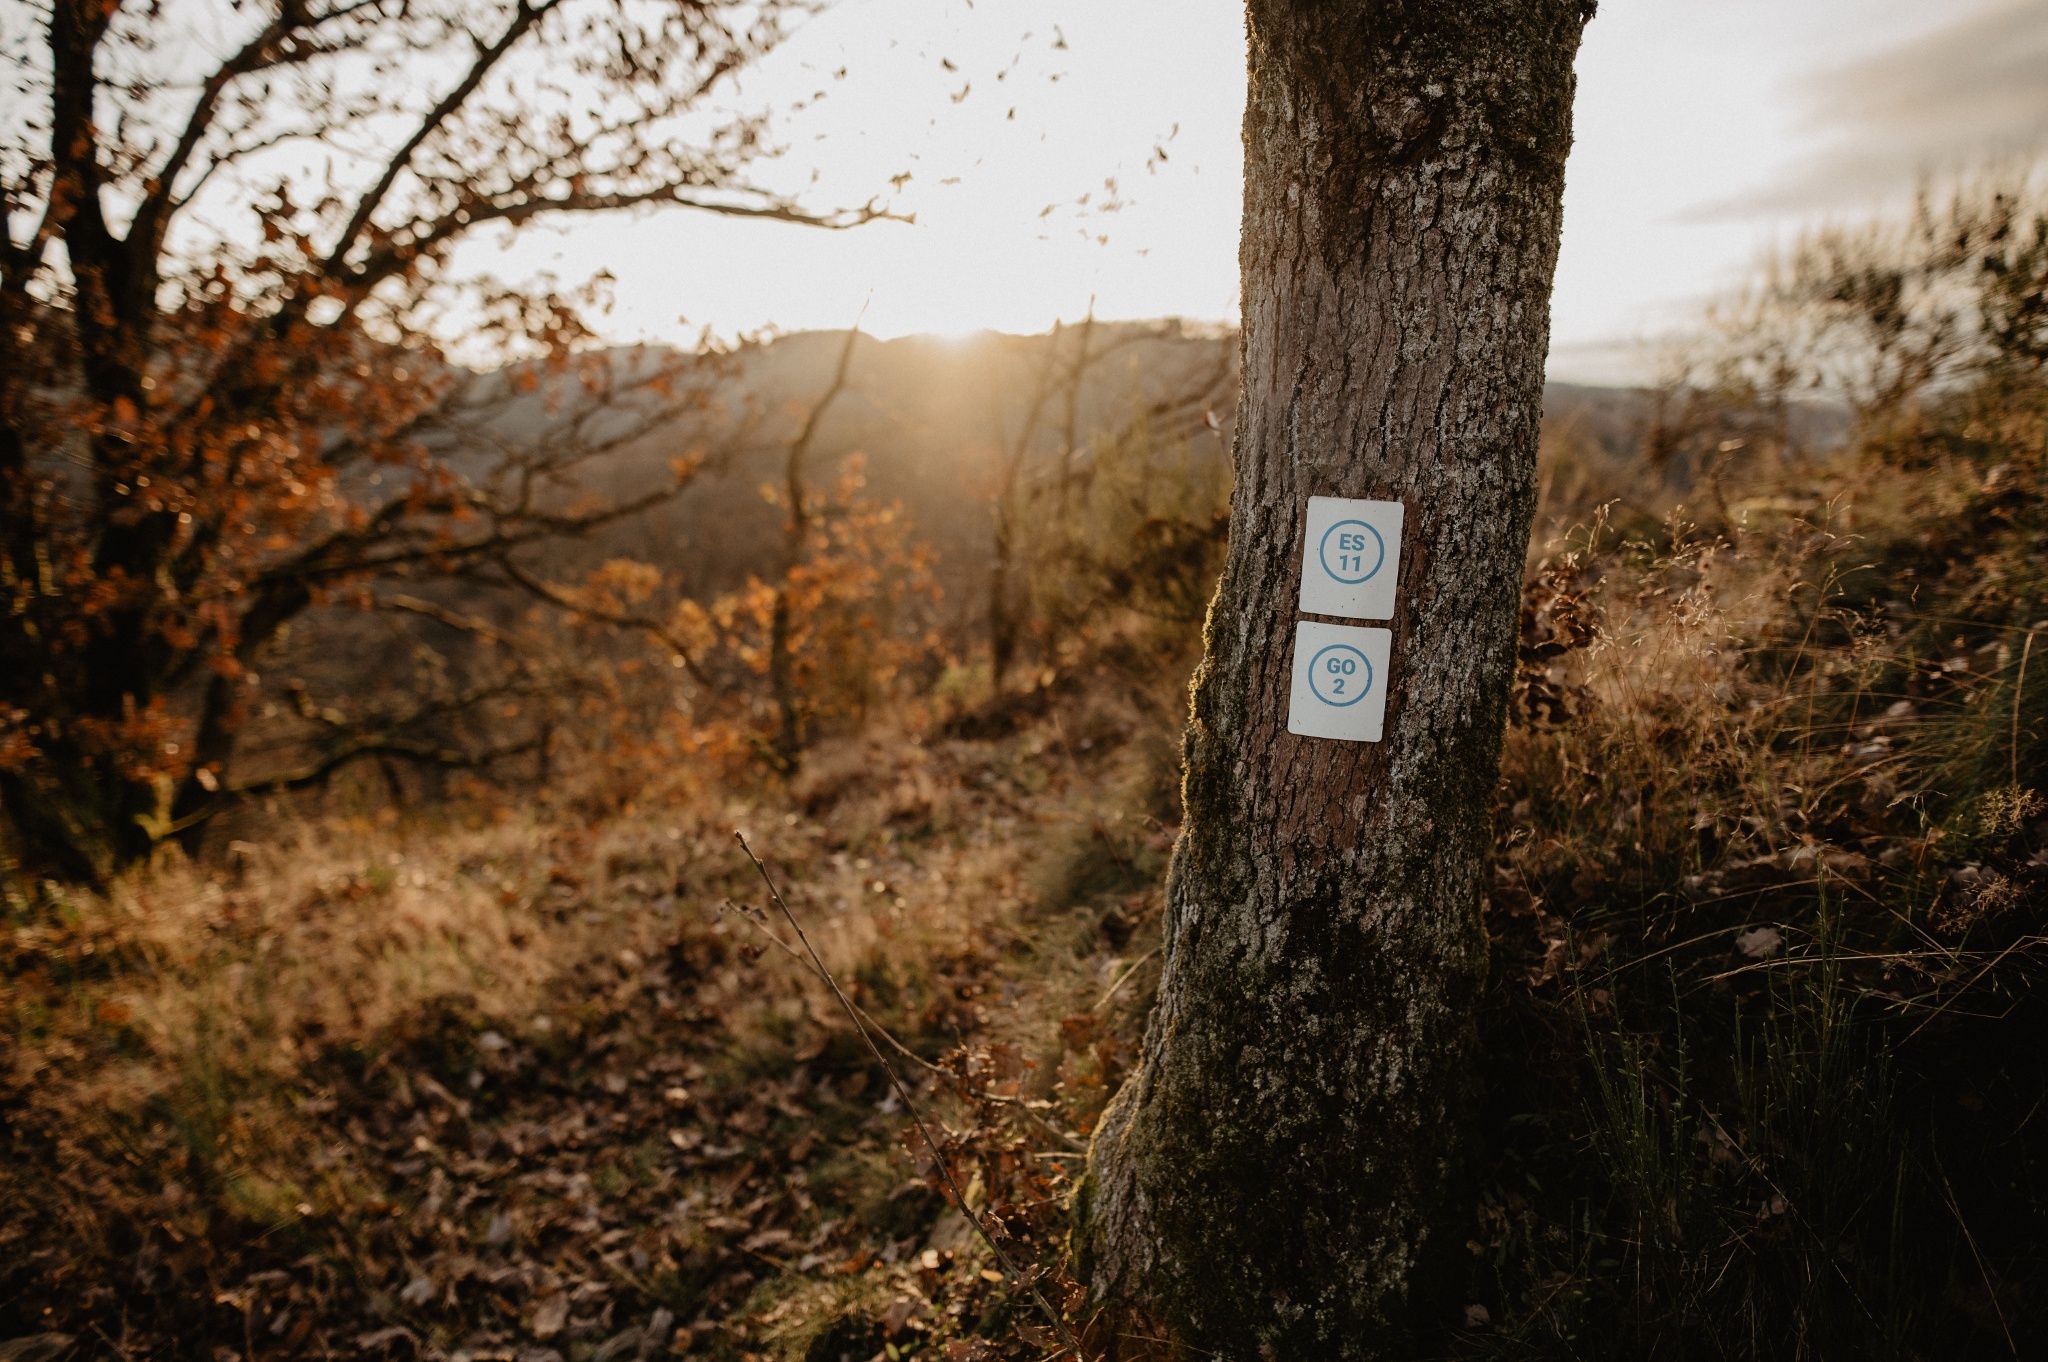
(542, 1091)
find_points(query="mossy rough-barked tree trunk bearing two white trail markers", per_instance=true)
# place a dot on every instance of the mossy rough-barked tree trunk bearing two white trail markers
(1279, 1166)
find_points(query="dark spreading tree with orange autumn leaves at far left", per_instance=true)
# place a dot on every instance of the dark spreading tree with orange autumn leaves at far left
(224, 398)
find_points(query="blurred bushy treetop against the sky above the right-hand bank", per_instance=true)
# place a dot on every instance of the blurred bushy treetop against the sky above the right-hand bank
(1883, 335)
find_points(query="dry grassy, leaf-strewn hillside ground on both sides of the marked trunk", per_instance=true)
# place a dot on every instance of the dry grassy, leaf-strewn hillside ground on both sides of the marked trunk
(1760, 1044)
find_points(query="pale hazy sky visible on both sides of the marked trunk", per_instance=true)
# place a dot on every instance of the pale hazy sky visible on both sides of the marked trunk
(1705, 128)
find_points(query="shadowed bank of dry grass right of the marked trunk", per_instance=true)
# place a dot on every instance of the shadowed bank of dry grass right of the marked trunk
(1766, 935)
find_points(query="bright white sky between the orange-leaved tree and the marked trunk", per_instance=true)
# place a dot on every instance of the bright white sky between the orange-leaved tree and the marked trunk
(1043, 167)
